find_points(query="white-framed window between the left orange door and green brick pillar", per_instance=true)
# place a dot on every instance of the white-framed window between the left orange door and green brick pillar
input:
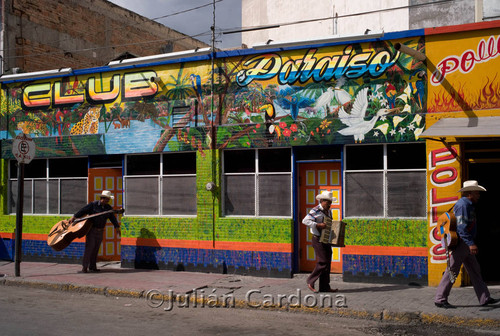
(161, 184)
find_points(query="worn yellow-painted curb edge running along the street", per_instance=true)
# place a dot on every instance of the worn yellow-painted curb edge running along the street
(384, 315)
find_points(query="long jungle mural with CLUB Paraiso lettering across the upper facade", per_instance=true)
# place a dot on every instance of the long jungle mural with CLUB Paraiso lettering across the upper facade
(364, 92)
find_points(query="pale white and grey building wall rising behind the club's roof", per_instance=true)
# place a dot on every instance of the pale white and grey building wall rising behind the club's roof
(299, 20)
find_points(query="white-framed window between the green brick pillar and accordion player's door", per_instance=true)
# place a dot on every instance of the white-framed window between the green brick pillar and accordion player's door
(257, 182)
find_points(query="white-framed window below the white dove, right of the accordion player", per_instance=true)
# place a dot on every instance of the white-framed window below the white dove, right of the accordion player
(385, 180)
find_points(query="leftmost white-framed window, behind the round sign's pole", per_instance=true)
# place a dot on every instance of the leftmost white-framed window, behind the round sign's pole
(51, 186)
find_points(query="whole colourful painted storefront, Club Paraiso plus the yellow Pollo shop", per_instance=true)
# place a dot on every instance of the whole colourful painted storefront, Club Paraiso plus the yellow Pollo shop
(216, 163)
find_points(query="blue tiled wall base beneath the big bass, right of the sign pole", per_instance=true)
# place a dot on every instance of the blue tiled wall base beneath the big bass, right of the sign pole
(38, 250)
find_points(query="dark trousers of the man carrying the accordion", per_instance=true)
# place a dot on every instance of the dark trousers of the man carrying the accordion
(323, 265)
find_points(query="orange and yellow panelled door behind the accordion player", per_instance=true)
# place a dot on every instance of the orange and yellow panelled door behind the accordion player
(314, 178)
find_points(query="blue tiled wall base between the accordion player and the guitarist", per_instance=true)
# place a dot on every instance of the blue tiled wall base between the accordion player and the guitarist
(385, 269)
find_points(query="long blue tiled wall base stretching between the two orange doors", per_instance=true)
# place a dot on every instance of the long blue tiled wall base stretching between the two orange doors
(275, 264)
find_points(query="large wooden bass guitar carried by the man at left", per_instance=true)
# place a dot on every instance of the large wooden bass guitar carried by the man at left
(64, 232)
